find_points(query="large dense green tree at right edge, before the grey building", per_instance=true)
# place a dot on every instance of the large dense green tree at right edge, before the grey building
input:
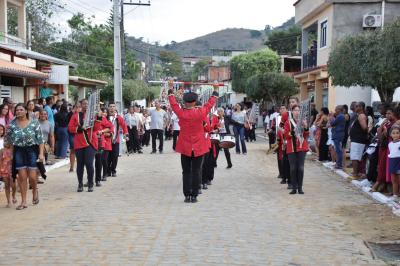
(369, 59)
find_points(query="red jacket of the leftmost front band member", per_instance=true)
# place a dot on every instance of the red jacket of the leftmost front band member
(89, 136)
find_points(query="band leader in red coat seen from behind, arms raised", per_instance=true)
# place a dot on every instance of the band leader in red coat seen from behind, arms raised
(192, 143)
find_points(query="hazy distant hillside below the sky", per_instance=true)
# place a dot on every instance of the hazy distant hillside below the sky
(233, 38)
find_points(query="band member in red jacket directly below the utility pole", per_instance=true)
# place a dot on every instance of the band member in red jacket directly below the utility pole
(119, 124)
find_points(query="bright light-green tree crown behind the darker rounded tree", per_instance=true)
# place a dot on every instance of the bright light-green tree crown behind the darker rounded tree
(246, 65)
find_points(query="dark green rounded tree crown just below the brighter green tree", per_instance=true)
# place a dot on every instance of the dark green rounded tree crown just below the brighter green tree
(271, 86)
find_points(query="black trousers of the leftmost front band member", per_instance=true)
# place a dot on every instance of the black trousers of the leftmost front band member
(85, 159)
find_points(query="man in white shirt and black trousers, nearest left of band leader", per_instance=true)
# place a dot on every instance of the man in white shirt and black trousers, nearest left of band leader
(157, 125)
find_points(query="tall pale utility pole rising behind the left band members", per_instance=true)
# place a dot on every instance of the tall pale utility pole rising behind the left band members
(117, 58)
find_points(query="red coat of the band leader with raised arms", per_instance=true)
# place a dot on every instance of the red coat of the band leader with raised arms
(192, 139)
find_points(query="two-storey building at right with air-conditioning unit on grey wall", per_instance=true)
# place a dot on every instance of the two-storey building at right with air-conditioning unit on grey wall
(324, 23)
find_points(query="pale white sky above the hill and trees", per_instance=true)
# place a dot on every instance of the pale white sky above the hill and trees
(179, 20)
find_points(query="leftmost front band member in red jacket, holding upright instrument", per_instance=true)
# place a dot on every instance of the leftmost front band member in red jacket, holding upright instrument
(85, 145)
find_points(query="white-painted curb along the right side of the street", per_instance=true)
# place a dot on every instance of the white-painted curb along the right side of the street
(365, 186)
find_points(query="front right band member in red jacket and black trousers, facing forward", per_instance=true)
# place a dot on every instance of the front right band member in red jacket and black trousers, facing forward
(296, 149)
